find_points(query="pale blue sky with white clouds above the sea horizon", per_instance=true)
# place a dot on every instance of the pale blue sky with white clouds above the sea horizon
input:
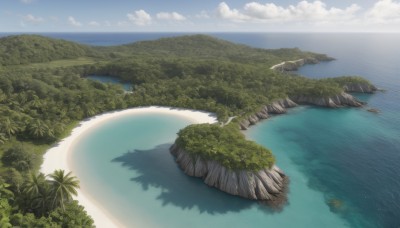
(199, 16)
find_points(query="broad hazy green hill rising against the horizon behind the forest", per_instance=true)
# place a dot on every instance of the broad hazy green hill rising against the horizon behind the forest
(208, 47)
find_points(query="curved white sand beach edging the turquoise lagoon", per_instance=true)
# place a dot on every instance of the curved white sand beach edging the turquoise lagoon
(60, 156)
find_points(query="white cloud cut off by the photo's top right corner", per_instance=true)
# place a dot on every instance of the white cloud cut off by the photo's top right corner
(383, 12)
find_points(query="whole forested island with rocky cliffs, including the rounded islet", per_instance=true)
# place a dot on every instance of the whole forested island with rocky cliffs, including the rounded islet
(44, 94)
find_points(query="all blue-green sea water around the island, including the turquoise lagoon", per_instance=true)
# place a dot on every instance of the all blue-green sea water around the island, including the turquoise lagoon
(348, 157)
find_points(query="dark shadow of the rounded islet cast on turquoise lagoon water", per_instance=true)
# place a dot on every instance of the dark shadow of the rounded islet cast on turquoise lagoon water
(157, 168)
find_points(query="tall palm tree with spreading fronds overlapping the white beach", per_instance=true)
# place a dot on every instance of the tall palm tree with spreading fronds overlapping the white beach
(63, 186)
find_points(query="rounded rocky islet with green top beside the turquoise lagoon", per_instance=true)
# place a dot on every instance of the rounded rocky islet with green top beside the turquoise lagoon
(227, 161)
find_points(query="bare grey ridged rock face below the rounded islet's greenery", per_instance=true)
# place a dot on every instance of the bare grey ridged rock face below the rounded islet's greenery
(265, 184)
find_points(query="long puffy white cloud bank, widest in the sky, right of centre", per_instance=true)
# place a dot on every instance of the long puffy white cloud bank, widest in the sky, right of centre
(316, 11)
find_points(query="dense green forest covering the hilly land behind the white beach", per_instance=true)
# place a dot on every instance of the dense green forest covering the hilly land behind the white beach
(44, 94)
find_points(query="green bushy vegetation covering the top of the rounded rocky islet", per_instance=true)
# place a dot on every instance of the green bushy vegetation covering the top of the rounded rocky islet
(225, 145)
